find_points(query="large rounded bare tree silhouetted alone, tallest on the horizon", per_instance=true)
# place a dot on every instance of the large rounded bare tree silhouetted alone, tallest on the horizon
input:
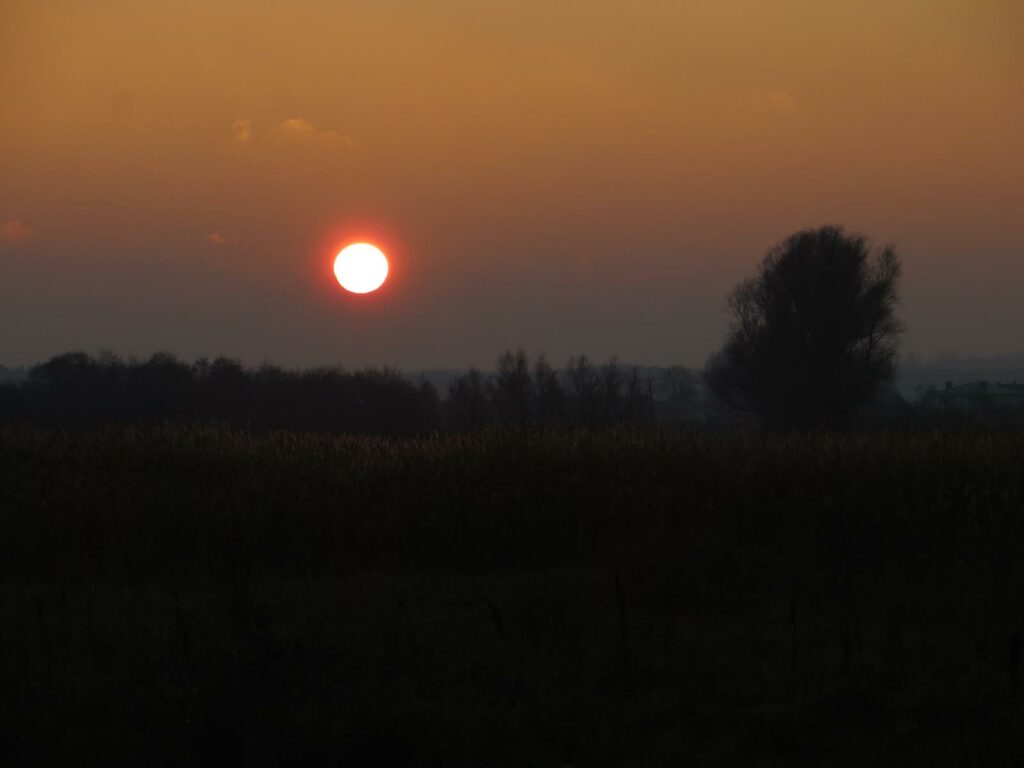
(815, 333)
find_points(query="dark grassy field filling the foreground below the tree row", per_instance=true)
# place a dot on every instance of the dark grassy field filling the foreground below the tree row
(209, 598)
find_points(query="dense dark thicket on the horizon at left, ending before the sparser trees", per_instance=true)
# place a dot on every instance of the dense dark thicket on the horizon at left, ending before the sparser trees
(78, 391)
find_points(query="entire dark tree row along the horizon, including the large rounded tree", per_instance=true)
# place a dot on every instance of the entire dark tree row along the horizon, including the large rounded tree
(814, 344)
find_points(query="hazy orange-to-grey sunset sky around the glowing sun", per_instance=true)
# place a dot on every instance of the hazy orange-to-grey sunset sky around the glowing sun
(577, 177)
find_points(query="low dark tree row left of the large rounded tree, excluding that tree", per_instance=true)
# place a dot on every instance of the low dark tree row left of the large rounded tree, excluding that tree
(81, 391)
